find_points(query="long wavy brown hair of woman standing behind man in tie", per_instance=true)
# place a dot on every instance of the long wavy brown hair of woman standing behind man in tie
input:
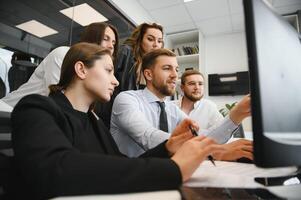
(135, 40)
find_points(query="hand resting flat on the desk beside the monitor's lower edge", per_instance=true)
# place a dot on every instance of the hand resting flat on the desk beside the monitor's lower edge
(235, 150)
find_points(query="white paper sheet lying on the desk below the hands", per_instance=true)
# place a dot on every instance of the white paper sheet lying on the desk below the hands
(233, 175)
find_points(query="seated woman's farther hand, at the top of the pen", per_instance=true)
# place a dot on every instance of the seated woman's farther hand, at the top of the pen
(180, 135)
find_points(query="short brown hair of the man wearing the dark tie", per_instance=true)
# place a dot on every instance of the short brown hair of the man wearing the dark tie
(150, 58)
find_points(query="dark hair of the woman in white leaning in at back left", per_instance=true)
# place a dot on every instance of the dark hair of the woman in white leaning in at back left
(94, 33)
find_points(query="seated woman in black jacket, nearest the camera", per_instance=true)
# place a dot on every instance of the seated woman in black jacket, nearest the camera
(64, 149)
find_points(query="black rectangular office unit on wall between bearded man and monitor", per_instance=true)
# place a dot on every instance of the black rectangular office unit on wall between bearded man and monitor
(228, 84)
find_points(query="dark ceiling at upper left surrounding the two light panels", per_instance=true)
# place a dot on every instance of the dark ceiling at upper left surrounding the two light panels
(14, 12)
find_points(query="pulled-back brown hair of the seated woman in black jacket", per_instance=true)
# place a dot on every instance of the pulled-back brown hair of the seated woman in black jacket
(85, 52)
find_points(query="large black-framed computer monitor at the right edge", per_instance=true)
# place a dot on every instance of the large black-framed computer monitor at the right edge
(274, 55)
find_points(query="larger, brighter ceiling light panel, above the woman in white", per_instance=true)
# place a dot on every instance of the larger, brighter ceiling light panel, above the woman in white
(83, 14)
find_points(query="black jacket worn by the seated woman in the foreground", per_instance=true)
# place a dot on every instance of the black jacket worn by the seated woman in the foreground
(50, 158)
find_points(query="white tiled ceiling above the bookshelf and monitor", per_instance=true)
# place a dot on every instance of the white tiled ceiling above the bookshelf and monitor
(212, 17)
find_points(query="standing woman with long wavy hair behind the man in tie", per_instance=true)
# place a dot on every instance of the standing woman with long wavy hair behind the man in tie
(145, 38)
